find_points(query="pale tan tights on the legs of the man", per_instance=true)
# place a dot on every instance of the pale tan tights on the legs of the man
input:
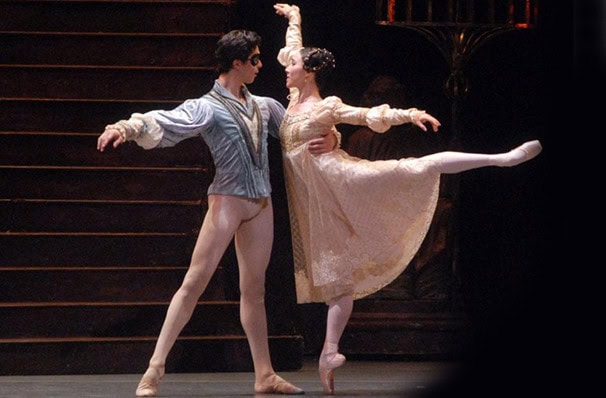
(251, 222)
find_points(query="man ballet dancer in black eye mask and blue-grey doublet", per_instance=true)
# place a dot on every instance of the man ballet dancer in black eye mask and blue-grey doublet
(234, 124)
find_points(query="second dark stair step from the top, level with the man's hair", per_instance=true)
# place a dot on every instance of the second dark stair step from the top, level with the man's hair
(134, 49)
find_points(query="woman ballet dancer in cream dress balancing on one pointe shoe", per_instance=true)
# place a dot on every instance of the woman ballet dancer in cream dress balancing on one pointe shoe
(356, 224)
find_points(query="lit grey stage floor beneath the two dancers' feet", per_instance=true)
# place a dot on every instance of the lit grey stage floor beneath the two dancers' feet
(356, 378)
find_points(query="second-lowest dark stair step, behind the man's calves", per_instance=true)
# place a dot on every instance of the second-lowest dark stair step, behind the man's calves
(112, 319)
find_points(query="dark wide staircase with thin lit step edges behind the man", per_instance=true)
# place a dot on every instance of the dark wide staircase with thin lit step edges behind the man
(93, 245)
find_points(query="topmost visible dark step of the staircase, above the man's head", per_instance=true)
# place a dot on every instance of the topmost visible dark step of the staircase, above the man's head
(136, 16)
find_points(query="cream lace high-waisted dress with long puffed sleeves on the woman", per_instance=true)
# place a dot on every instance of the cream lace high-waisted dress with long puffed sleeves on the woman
(356, 224)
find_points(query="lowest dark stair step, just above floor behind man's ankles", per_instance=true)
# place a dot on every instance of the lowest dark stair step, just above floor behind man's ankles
(67, 356)
